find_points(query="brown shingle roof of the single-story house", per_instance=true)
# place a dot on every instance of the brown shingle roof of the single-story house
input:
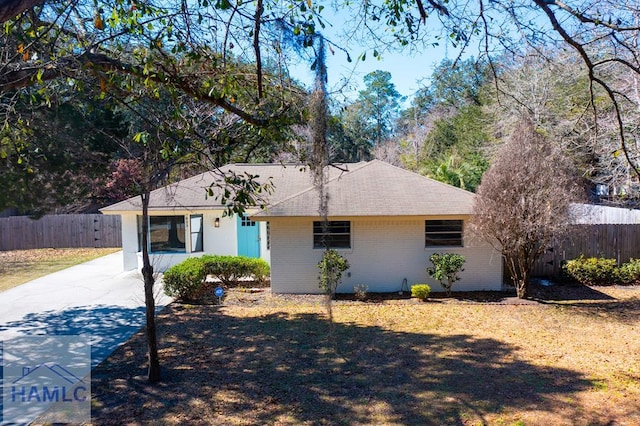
(374, 188)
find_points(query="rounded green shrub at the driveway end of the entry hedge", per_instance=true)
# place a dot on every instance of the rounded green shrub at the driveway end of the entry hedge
(185, 280)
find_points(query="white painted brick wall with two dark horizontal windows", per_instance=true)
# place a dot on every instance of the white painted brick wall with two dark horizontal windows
(384, 251)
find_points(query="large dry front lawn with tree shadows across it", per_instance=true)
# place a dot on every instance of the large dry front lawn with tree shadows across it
(264, 359)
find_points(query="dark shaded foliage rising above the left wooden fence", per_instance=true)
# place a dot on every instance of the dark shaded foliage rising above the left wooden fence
(51, 155)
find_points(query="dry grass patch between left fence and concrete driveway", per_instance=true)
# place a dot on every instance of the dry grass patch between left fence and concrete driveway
(20, 266)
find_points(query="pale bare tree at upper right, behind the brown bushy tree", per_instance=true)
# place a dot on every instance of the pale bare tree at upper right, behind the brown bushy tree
(552, 88)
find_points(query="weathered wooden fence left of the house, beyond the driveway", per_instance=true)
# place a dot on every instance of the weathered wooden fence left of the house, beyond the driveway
(60, 231)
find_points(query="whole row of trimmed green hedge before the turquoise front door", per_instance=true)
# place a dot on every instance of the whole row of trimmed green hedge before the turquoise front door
(187, 280)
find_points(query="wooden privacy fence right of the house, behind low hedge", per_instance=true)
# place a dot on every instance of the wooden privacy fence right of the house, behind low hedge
(613, 241)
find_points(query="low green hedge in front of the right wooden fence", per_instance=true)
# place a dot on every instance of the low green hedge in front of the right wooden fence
(601, 271)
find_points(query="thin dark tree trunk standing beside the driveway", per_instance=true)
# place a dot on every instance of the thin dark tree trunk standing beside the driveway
(153, 374)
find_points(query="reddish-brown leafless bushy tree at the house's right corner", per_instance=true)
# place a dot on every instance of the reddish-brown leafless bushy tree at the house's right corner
(522, 201)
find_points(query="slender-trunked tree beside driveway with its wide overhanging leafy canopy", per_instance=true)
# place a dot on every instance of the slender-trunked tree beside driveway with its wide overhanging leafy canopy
(146, 56)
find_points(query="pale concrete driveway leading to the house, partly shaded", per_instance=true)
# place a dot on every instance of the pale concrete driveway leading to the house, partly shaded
(94, 299)
